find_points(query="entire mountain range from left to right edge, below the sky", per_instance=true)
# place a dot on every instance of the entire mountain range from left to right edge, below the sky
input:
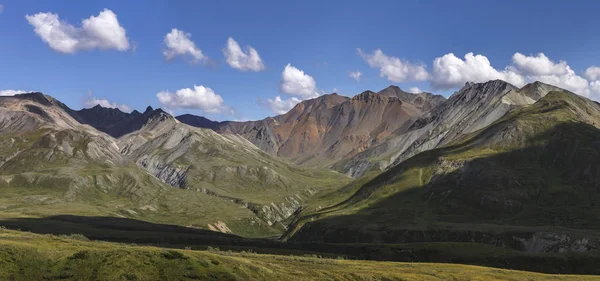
(493, 163)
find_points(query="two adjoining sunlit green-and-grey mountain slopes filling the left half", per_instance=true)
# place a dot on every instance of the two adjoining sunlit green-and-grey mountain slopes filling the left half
(164, 171)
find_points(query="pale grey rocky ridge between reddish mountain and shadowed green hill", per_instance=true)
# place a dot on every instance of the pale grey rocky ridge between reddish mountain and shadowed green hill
(474, 107)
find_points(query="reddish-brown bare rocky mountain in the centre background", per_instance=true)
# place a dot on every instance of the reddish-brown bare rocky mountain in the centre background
(324, 130)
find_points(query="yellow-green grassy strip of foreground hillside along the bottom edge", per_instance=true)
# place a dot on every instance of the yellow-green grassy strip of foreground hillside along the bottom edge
(27, 256)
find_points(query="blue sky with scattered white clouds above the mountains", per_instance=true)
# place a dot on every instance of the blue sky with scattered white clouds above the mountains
(318, 39)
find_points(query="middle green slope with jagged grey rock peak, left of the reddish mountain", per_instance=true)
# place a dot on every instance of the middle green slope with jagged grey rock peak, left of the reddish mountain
(226, 166)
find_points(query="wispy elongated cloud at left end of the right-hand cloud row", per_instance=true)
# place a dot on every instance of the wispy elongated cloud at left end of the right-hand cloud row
(393, 68)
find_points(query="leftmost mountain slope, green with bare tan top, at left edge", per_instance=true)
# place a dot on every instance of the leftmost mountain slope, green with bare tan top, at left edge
(50, 164)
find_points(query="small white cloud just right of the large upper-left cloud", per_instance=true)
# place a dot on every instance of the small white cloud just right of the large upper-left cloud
(179, 44)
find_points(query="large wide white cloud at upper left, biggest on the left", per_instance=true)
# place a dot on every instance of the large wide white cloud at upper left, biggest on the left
(96, 32)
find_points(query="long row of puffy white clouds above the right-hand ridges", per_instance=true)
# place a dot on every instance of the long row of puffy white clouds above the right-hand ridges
(450, 71)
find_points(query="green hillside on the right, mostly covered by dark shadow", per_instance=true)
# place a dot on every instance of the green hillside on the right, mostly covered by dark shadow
(529, 181)
